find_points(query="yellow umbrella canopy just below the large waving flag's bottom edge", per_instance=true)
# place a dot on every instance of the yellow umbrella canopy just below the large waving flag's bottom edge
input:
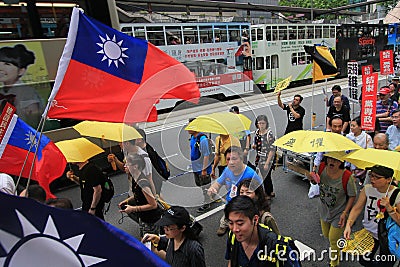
(118, 132)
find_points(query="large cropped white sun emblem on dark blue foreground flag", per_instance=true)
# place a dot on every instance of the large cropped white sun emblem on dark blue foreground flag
(45, 248)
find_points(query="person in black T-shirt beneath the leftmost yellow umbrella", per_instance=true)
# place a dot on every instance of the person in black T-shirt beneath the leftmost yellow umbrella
(90, 180)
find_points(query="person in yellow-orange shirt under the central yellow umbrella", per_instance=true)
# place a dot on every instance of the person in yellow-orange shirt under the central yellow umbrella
(222, 143)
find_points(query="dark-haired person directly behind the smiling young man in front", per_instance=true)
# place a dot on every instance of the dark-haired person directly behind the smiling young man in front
(254, 190)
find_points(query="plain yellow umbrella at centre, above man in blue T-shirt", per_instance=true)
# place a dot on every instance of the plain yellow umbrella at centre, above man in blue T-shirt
(220, 123)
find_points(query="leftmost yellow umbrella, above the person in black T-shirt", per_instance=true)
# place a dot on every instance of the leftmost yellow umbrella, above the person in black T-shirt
(78, 150)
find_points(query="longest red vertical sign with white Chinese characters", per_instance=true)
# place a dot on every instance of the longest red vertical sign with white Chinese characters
(368, 108)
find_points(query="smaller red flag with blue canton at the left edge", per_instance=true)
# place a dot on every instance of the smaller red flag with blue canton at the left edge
(20, 138)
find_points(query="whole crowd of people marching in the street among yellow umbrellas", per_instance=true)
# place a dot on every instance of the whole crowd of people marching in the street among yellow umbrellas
(247, 217)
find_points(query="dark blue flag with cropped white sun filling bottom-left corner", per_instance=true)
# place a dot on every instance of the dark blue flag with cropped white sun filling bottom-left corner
(33, 234)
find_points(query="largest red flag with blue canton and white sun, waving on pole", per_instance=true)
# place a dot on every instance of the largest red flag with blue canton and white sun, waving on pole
(106, 75)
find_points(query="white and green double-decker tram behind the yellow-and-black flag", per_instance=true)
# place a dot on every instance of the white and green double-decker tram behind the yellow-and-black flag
(278, 51)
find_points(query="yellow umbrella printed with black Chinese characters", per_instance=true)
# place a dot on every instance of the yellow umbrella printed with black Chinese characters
(315, 141)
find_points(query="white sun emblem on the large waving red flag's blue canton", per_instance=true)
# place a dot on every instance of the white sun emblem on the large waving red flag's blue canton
(112, 50)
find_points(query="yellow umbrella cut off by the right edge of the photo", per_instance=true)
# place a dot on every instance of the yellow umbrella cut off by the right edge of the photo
(369, 157)
